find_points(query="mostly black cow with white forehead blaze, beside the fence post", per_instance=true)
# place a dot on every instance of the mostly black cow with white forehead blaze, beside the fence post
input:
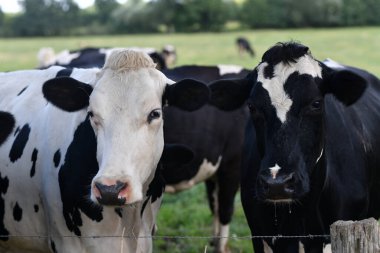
(311, 152)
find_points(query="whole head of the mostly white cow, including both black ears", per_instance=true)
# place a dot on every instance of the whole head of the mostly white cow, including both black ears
(125, 108)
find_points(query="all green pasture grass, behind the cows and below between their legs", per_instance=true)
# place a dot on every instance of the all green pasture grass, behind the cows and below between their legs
(187, 213)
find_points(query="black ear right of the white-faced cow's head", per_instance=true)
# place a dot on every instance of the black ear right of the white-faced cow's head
(187, 94)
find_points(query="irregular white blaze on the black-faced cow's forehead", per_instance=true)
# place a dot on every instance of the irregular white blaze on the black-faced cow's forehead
(275, 85)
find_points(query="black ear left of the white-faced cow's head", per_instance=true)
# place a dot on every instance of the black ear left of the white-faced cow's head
(67, 93)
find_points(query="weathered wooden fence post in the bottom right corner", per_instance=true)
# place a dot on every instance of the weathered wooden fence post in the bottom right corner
(355, 237)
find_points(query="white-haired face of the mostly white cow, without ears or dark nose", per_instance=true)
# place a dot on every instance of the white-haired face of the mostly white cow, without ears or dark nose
(121, 104)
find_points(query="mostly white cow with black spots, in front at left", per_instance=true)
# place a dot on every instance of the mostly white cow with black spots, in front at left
(80, 165)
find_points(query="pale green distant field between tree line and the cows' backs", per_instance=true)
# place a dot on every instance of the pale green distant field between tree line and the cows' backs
(353, 46)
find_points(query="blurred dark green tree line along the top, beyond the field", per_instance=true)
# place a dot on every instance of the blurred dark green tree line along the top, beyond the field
(64, 17)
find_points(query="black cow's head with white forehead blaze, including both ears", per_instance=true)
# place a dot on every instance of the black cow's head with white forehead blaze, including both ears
(285, 95)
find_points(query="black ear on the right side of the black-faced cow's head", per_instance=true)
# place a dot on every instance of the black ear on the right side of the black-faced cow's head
(345, 85)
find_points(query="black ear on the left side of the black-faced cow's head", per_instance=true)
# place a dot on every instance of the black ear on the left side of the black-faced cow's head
(230, 94)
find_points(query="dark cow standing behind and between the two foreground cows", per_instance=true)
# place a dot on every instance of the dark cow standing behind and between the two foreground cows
(216, 140)
